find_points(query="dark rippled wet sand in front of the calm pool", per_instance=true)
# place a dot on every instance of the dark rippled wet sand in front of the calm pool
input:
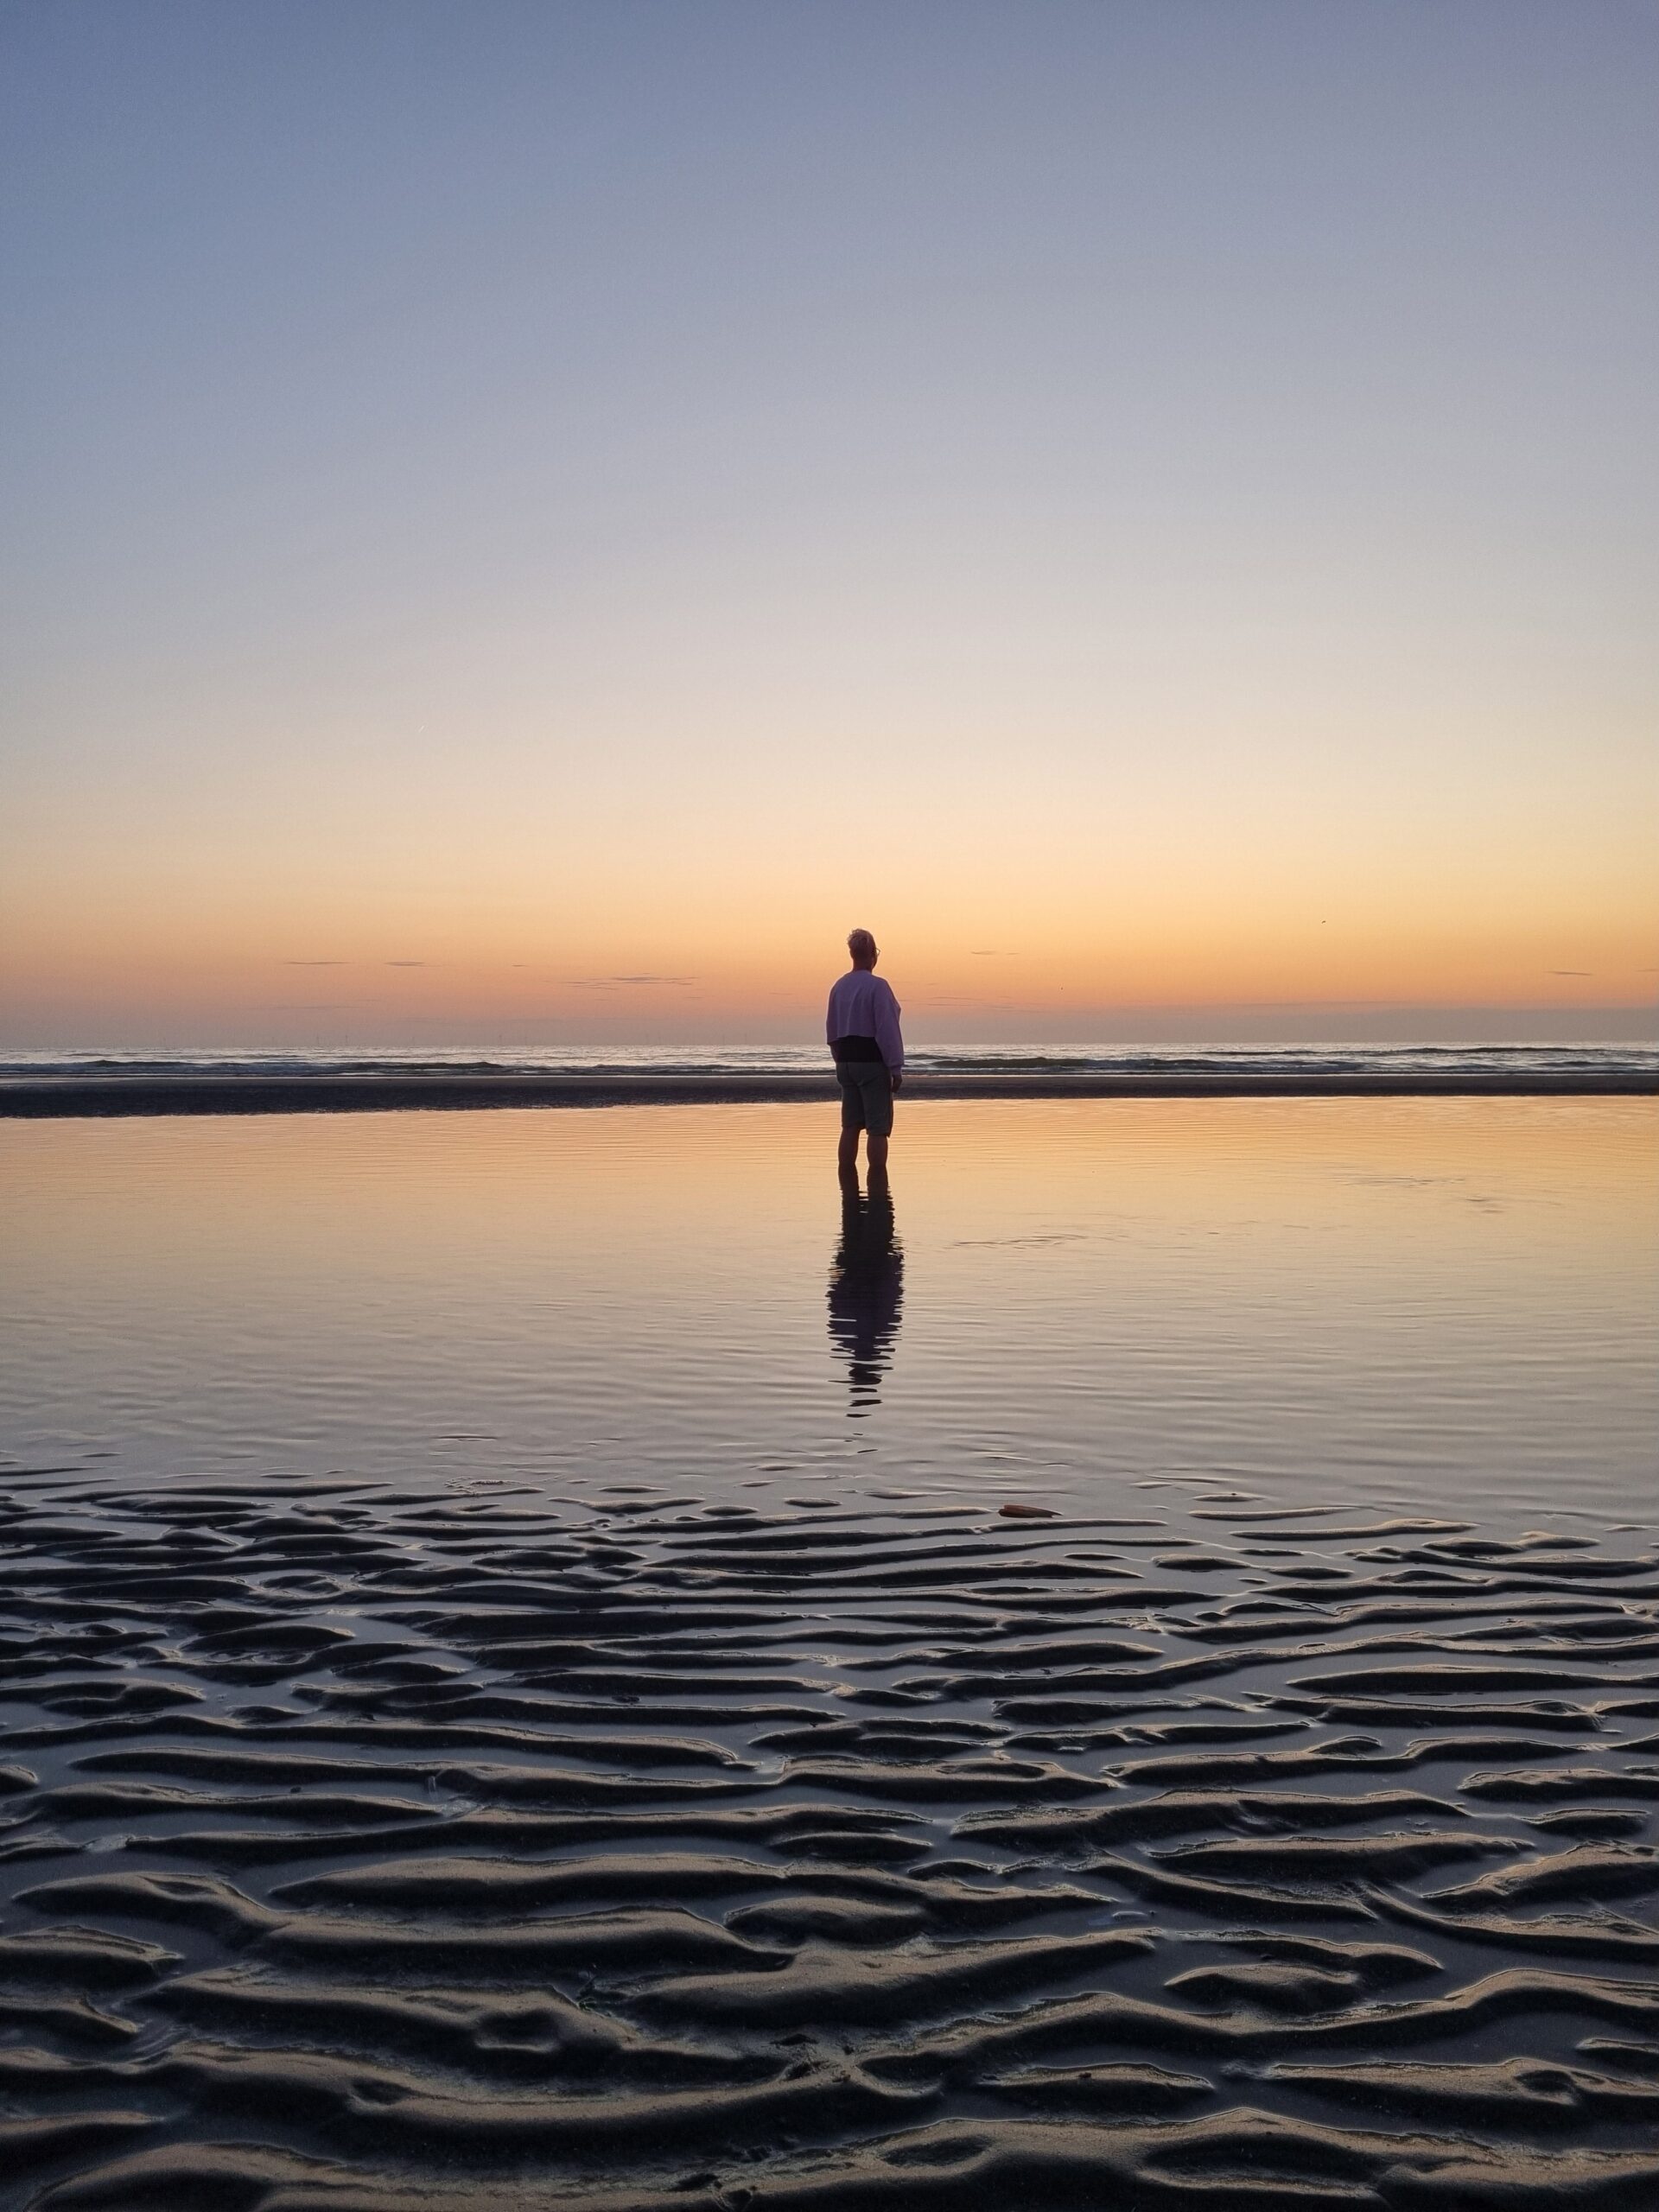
(371, 1850)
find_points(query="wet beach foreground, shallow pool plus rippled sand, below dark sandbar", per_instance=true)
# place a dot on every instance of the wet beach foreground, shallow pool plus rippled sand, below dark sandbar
(561, 1660)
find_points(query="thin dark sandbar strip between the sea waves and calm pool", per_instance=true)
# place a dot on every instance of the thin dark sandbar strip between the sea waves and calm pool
(121, 1096)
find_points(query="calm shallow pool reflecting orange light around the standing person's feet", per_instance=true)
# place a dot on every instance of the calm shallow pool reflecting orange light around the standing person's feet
(1415, 1302)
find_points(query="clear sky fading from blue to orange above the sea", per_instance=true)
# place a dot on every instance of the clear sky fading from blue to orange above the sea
(528, 521)
